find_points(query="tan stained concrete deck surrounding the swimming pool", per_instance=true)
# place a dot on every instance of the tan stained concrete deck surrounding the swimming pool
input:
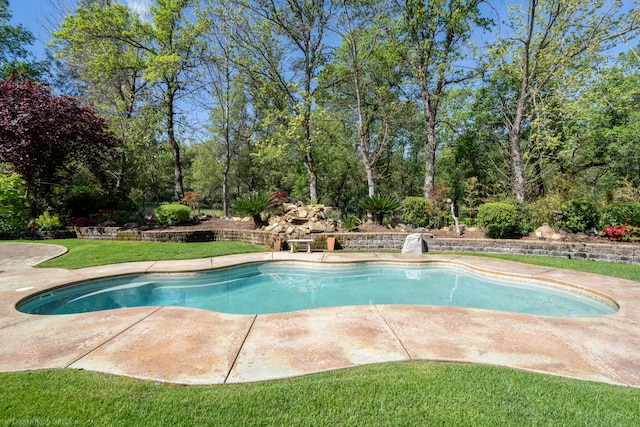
(190, 346)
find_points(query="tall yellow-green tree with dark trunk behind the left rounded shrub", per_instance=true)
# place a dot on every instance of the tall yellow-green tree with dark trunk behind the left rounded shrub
(108, 71)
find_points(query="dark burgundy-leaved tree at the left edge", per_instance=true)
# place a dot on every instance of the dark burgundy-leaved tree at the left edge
(41, 134)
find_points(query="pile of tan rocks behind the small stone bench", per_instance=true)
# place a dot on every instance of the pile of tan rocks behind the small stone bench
(301, 219)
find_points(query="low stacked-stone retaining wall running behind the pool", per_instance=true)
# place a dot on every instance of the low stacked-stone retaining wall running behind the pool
(613, 252)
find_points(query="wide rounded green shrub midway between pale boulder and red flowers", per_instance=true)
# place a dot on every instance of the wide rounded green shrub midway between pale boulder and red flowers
(504, 220)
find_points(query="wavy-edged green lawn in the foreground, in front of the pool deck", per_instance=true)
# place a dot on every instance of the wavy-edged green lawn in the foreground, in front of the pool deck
(398, 394)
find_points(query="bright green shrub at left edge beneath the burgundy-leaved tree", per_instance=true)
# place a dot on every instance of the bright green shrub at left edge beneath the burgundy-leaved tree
(14, 212)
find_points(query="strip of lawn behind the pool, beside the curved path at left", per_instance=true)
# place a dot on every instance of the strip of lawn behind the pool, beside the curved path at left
(88, 253)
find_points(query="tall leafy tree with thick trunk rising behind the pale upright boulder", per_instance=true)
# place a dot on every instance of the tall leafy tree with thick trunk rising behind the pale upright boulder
(432, 36)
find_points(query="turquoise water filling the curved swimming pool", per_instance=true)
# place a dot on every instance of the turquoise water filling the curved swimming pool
(281, 287)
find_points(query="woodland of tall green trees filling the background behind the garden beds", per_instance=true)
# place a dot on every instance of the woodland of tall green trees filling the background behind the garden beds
(331, 102)
